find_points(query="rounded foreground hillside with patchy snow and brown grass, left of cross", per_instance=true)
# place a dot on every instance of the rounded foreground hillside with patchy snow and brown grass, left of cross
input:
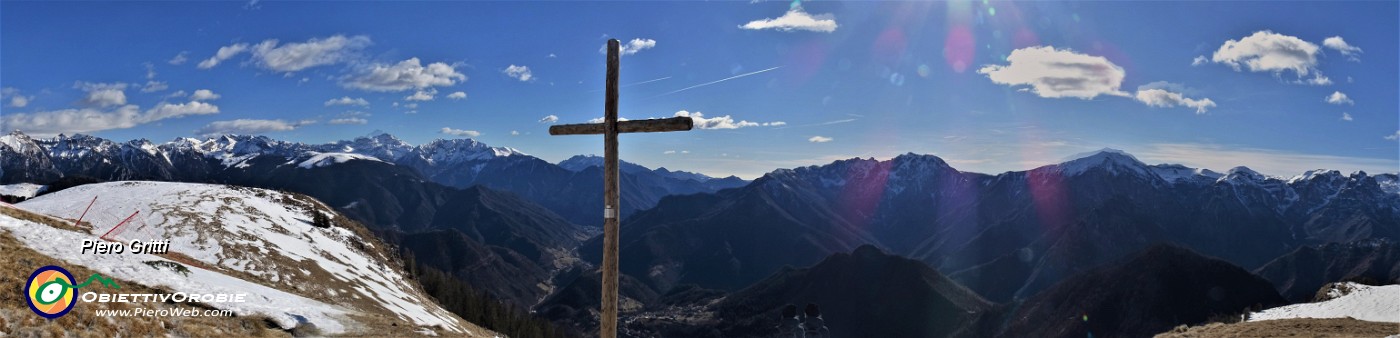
(260, 236)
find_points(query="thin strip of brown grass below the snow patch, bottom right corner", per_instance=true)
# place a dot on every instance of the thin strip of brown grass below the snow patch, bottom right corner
(1294, 327)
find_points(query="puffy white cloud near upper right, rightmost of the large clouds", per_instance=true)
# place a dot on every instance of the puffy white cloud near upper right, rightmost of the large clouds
(1266, 51)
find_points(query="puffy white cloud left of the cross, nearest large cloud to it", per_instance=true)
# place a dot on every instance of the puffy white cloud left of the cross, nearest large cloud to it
(405, 75)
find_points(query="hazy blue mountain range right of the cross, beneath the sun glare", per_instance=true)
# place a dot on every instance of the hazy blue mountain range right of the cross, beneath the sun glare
(1006, 236)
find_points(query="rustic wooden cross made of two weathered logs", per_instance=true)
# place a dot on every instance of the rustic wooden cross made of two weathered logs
(610, 128)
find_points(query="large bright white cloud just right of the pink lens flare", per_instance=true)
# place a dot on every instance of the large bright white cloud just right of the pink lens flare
(1056, 74)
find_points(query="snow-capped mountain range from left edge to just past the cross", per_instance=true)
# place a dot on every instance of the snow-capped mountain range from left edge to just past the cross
(566, 189)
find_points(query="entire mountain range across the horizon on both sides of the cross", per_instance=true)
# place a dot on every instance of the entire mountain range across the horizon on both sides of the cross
(507, 222)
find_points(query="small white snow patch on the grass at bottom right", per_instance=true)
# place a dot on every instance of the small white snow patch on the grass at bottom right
(1364, 302)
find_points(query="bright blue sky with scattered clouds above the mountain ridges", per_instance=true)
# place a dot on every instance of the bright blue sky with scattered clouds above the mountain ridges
(989, 86)
